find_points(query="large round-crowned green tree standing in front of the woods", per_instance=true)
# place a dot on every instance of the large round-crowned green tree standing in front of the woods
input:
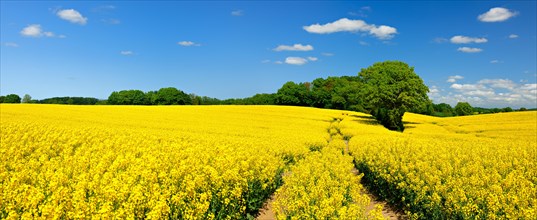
(390, 89)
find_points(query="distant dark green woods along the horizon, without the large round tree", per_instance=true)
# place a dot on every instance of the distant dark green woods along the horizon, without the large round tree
(342, 93)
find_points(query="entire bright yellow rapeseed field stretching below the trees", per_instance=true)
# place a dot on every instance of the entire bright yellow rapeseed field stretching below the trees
(224, 162)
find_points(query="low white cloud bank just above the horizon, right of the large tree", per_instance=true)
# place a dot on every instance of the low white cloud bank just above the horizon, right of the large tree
(493, 93)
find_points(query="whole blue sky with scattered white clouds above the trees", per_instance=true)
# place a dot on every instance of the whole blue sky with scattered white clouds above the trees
(483, 52)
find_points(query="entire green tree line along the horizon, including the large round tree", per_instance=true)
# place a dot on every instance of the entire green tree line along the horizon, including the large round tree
(385, 90)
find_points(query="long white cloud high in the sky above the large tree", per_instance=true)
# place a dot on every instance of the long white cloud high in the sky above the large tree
(344, 24)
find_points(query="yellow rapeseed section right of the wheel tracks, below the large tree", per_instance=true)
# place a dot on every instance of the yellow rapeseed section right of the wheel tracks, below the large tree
(472, 167)
